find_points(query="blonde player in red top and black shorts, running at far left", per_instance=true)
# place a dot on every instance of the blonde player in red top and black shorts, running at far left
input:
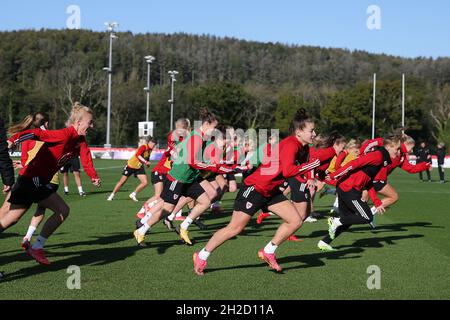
(32, 184)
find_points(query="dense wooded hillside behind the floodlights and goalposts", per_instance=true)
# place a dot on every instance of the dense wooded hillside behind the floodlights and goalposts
(248, 84)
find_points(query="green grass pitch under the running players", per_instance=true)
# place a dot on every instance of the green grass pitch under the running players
(409, 245)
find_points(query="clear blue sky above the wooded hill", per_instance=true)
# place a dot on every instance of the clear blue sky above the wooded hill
(408, 28)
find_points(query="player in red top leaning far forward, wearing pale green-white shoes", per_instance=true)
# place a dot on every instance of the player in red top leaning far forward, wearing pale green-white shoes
(353, 179)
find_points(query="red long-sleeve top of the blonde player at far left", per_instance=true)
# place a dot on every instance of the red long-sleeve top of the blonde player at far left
(60, 146)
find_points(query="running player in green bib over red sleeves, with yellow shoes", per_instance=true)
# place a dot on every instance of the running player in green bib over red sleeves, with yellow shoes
(183, 180)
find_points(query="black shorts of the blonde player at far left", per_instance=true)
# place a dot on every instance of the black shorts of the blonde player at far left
(27, 191)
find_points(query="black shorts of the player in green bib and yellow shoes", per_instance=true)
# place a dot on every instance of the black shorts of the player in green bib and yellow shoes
(174, 190)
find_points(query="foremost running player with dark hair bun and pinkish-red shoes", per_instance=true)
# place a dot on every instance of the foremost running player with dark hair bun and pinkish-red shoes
(261, 189)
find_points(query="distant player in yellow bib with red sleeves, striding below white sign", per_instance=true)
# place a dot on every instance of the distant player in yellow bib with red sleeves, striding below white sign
(135, 167)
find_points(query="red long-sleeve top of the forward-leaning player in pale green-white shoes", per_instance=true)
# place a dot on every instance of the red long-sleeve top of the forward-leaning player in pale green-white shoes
(359, 174)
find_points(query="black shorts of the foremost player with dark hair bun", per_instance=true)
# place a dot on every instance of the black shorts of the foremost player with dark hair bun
(250, 201)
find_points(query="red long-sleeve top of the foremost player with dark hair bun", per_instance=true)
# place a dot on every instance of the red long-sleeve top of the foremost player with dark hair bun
(280, 165)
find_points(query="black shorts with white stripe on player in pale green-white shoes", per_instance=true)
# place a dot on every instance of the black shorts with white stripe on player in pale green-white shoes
(351, 203)
